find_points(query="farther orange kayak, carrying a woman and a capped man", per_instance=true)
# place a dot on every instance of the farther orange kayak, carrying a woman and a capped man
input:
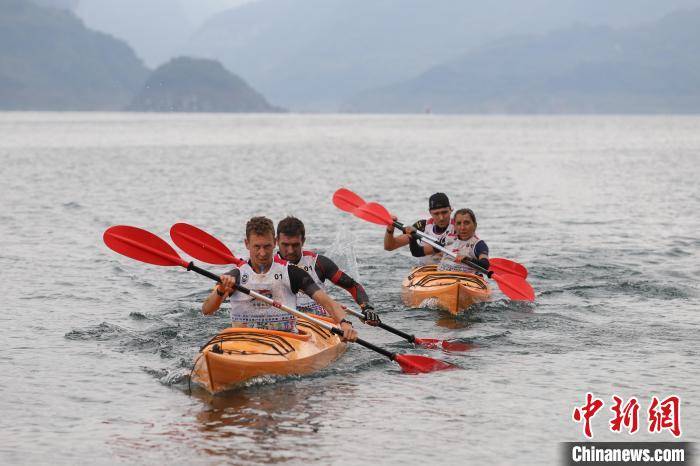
(451, 291)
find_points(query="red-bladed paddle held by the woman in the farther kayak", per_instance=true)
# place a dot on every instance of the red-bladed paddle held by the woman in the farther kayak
(513, 286)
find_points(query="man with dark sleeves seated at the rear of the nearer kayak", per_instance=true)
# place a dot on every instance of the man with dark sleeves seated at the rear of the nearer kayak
(291, 236)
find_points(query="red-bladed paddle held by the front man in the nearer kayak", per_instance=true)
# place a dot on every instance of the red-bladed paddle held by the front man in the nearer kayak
(144, 246)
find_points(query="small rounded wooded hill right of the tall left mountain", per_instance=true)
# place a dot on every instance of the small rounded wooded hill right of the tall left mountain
(197, 85)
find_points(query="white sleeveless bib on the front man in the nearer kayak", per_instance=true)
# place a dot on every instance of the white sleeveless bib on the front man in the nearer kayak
(273, 284)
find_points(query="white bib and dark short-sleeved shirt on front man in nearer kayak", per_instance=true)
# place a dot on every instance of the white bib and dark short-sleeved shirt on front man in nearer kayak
(282, 282)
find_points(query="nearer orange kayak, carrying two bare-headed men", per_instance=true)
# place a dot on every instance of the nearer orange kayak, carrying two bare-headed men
(239, 354)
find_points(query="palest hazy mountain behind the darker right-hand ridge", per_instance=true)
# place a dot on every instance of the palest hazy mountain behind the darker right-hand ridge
(315, 54)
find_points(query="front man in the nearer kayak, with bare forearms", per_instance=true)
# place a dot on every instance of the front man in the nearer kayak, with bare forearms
(274, 277)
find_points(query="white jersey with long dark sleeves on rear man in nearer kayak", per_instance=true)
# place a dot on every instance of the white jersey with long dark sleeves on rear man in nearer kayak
(321, 268)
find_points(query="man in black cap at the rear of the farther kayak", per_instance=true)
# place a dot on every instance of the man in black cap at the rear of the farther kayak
(439, 226)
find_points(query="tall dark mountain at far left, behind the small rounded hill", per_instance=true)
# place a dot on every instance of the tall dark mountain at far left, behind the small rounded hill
(50, 61)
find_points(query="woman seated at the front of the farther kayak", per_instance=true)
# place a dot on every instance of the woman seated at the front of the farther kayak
(466, 245)
